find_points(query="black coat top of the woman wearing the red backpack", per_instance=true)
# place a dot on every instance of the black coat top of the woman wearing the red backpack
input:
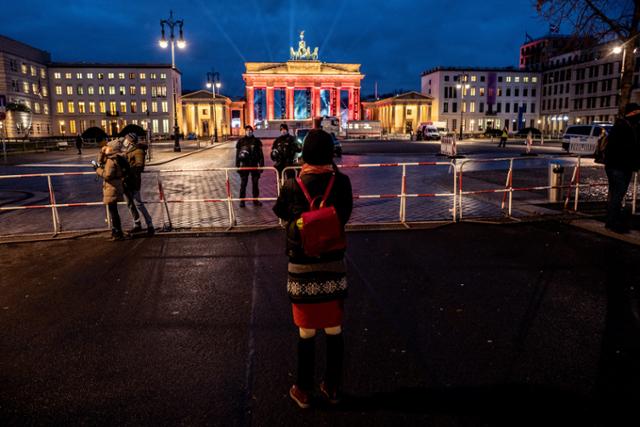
(292, 203)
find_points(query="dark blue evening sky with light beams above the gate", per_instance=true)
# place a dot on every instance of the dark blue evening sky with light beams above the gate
(394, 40)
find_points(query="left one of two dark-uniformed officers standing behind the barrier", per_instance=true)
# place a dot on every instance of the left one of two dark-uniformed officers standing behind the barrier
(249, 154)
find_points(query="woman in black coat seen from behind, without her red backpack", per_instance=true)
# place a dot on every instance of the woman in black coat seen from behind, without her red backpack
(316, 286)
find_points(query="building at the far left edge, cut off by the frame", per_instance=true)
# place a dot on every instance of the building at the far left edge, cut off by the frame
(24, 86)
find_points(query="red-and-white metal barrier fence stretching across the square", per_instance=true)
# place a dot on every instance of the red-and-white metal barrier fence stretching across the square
(209, 192)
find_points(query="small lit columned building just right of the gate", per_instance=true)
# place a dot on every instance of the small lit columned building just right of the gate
(402, 113)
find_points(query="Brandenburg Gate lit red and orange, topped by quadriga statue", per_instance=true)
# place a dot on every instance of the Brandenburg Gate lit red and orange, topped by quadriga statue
(301, 88)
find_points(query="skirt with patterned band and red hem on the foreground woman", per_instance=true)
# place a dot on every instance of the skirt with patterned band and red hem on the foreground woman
(317, 292)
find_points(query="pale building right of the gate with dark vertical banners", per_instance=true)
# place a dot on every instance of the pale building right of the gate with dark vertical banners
(481, 98)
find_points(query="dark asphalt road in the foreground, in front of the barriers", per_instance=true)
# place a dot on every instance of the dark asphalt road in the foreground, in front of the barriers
(461, 325)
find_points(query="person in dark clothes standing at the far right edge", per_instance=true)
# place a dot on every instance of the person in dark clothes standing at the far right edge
(621, 159)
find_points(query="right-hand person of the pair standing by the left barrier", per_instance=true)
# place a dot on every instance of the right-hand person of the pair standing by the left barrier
(135, 152)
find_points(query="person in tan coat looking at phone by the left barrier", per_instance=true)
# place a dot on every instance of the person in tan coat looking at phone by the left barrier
(109, 168)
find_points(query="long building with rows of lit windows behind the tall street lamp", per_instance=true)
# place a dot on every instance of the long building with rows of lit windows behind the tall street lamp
(111, 96)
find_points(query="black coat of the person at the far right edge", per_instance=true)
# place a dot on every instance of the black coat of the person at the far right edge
(623, 146)
